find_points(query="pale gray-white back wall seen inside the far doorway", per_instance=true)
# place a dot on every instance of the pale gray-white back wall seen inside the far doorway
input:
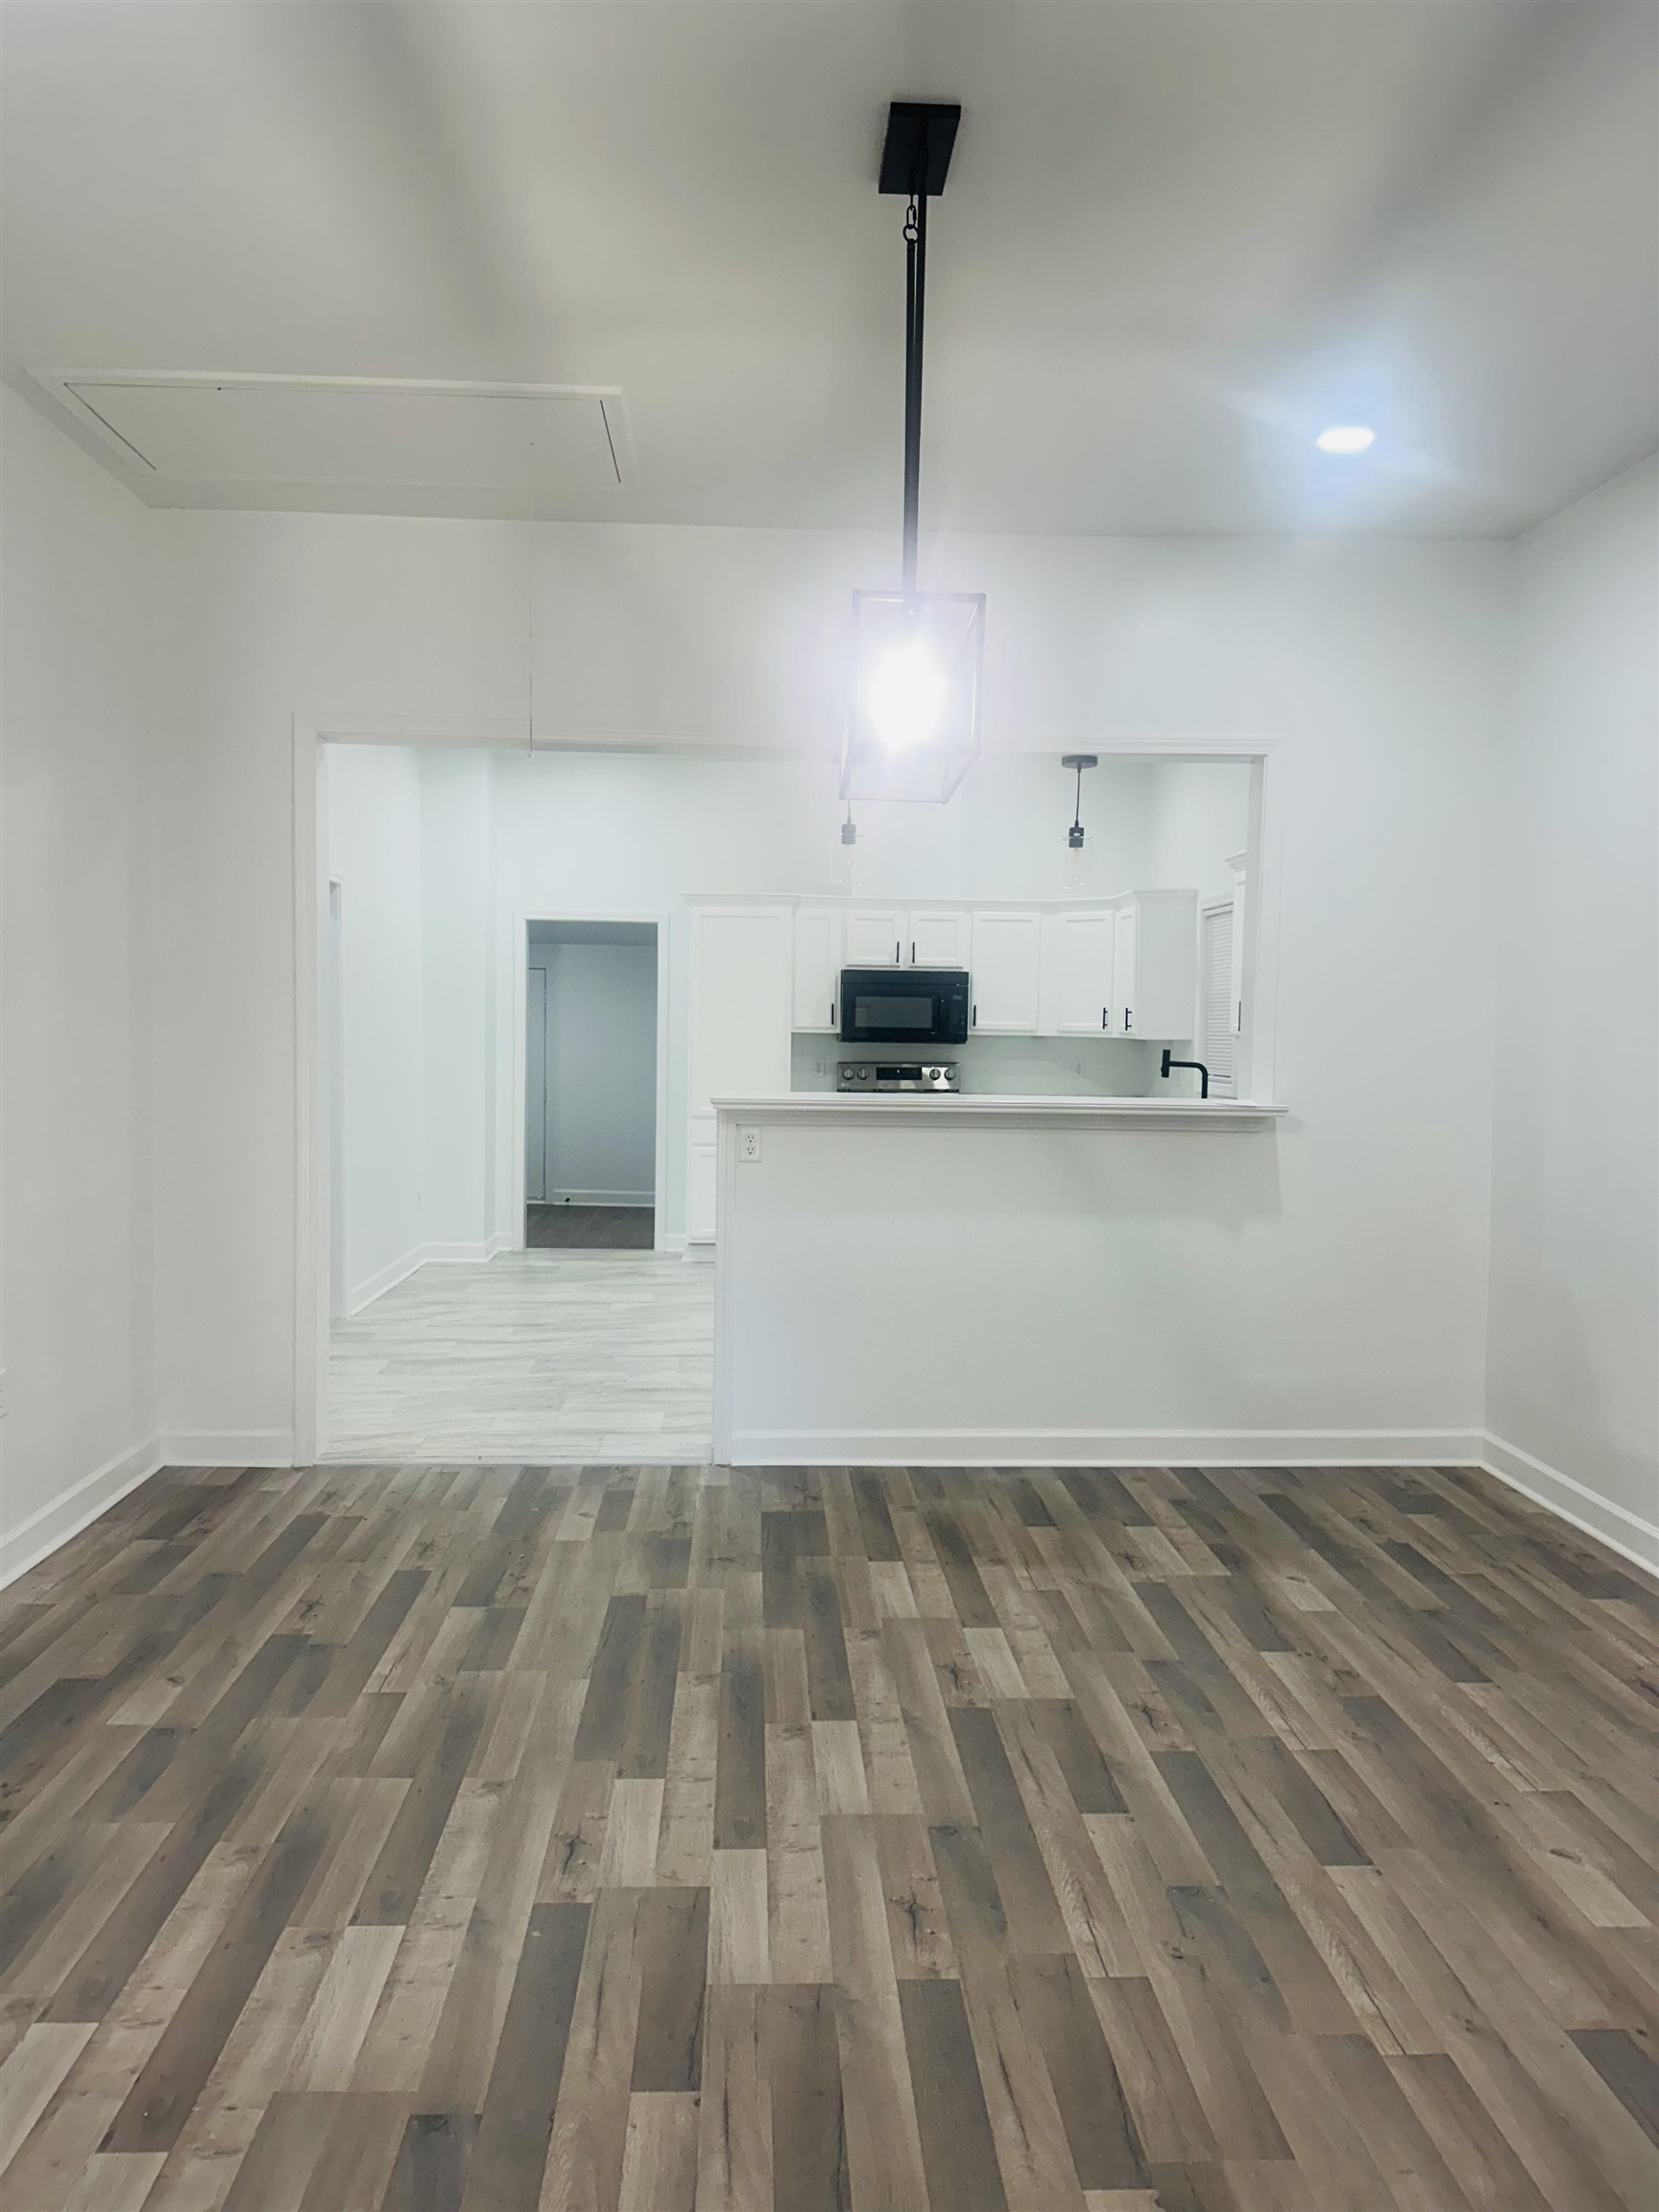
(601, 1072)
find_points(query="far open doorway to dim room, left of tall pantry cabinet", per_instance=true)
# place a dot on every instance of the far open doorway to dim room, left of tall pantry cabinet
(592, 1087)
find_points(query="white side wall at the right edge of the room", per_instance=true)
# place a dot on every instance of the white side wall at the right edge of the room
(1574, 1344)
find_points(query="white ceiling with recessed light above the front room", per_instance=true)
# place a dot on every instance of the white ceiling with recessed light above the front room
(1180, 238)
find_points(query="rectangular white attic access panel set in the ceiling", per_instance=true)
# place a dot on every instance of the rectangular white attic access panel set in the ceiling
(368, 432)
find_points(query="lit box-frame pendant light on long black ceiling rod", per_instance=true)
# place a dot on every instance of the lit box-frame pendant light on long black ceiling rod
(917, 656)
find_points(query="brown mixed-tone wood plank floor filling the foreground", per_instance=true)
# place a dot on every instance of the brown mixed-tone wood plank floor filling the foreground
(519, 1837)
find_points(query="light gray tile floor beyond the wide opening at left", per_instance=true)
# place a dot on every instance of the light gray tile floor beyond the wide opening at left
(530, 1357)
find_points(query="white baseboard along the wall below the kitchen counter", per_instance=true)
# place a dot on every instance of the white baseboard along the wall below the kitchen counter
(1107, 1448)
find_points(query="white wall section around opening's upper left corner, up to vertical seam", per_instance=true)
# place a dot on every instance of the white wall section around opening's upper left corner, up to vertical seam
(262, 618)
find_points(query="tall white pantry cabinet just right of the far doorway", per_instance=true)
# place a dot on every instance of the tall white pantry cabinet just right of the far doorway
(742, 981)
